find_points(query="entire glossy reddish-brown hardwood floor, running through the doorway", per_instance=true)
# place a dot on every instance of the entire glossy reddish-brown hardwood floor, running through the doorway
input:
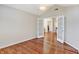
(48, 45)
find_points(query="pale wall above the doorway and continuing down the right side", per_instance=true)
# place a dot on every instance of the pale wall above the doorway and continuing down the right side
(71, 15)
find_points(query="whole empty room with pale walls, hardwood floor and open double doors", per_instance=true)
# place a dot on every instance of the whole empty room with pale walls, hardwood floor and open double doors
(39, 29)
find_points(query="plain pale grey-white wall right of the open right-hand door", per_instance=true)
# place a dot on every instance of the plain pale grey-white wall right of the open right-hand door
(72, 26)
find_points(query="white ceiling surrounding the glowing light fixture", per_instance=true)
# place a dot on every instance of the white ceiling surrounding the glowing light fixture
(34, 8)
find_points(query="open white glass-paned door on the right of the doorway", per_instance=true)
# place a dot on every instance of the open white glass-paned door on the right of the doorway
(60, 30)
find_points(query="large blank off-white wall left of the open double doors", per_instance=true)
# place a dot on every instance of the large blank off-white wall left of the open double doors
(15, 26)
